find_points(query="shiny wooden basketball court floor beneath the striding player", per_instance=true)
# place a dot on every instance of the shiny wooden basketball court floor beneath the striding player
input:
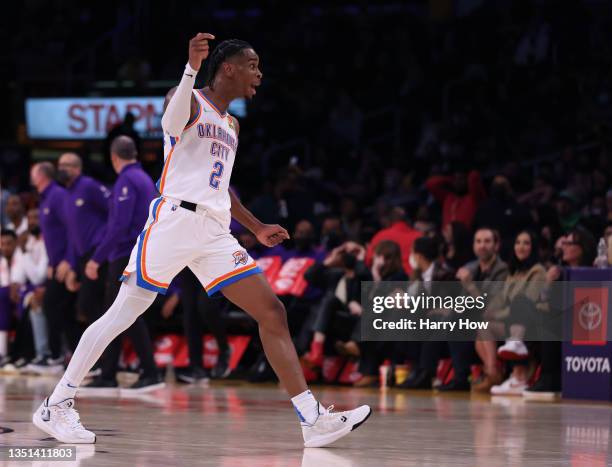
(239, 424)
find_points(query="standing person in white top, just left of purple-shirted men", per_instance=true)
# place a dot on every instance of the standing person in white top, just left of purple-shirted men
(29, 274)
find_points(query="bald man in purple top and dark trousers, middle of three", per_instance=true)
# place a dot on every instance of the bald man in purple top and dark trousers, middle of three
(86, 208)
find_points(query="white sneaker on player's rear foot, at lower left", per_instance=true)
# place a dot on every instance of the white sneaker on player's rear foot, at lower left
(62, 422)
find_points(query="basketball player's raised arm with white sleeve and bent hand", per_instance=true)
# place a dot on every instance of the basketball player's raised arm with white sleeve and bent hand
(180, 105)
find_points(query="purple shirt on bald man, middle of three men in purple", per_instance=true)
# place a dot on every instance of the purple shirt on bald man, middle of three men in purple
(86, 213)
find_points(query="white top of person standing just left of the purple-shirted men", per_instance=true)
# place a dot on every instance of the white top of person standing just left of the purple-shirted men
(31, 265)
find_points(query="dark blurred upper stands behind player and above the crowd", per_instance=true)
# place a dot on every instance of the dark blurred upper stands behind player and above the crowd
(360, 100)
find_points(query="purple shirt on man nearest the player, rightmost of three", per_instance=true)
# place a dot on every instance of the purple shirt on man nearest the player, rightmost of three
(129, 209)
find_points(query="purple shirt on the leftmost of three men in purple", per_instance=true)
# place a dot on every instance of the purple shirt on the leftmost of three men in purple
(53, 223)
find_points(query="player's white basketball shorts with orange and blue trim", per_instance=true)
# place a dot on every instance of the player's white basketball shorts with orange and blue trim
(174, 238)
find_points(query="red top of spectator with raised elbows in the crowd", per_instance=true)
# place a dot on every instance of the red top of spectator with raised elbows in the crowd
(459, 196)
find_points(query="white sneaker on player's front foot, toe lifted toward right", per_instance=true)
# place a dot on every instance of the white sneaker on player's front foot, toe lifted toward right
(331, 426)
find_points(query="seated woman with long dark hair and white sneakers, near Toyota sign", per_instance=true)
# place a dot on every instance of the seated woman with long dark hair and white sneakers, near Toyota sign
(519, 298)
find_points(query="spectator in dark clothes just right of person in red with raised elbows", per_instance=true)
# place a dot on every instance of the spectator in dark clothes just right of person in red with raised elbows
(503, 213)
